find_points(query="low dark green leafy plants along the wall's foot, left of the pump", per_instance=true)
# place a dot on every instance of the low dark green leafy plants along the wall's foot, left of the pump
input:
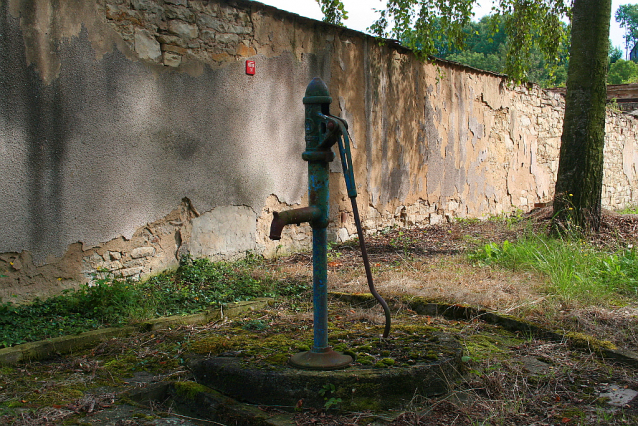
(196, 285)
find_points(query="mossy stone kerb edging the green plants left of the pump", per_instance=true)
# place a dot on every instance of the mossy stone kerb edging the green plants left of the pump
(67, 344)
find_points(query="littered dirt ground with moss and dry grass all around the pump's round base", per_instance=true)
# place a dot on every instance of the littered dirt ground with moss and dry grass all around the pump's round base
(509, 378)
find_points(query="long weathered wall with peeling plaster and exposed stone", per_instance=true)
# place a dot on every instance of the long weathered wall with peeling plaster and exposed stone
(130, 135)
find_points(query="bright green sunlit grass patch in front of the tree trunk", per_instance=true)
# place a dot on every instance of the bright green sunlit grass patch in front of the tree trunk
(577, 270)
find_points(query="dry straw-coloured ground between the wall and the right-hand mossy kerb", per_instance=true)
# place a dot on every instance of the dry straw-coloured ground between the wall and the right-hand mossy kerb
(430, 262)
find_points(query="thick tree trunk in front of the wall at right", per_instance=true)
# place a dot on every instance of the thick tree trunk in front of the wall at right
(577, 200)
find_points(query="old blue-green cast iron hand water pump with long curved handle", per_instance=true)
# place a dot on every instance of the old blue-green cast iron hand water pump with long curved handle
(322, 132)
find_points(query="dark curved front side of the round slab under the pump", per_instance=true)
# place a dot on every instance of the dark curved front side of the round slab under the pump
(356, 388)
